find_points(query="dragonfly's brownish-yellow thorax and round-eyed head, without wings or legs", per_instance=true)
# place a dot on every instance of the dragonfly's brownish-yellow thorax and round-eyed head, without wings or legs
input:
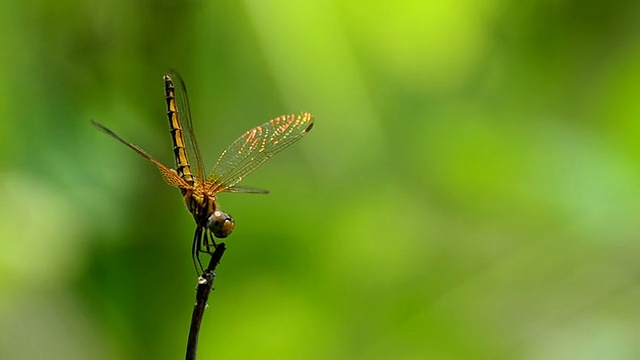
(204, 209)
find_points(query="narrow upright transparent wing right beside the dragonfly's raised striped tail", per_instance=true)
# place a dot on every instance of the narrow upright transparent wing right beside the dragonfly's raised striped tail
(184, 114)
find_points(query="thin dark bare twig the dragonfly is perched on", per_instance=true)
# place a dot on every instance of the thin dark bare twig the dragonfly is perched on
(205, 284)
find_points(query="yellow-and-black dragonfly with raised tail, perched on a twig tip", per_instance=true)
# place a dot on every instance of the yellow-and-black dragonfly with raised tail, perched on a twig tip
(240, 159)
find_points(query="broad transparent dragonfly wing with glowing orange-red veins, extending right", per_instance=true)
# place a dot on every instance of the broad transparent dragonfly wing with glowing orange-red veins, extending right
(255, 147)
